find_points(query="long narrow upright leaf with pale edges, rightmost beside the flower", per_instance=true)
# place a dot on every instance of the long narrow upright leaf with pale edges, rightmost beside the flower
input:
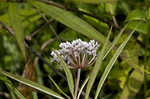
(111, 63)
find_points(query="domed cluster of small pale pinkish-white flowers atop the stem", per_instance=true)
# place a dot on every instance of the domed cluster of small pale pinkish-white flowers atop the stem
(77, 53)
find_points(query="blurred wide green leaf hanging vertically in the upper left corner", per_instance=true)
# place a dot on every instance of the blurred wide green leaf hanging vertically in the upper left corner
(16, 23)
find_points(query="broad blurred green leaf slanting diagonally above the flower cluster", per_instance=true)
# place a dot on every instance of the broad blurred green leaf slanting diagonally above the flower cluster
(70, 20)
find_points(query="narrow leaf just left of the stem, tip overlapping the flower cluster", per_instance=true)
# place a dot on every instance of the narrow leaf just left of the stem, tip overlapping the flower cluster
(68, 74)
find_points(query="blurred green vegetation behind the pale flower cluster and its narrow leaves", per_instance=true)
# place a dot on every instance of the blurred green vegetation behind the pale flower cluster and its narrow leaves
(30, 30)
